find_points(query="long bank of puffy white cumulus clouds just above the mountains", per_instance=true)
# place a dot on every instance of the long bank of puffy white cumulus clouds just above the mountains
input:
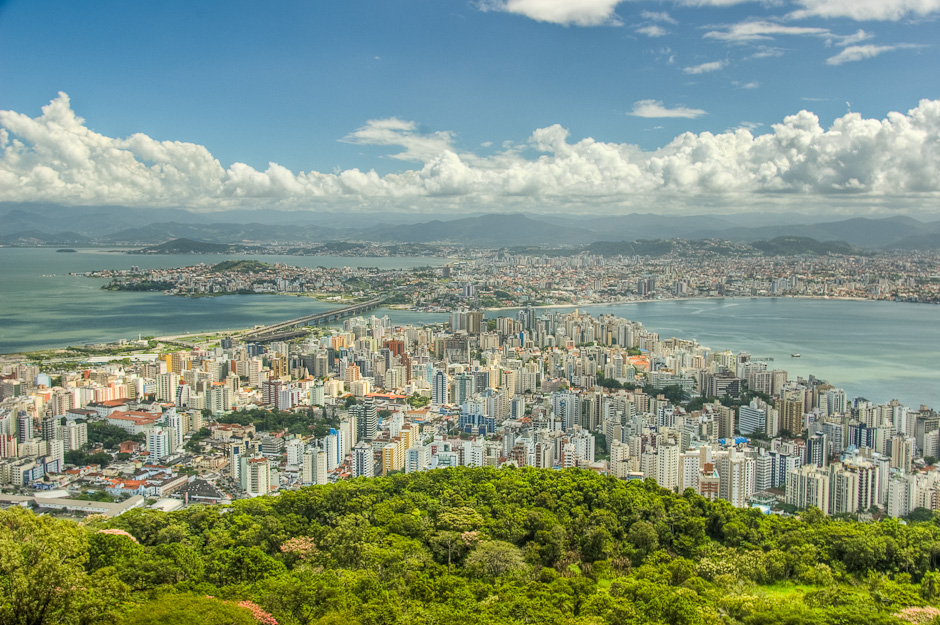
(56, 158)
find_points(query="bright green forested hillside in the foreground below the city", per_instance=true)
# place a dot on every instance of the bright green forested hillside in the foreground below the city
(469, 546)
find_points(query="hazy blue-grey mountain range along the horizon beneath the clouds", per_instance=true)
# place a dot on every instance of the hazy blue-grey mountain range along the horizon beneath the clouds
(46, 224)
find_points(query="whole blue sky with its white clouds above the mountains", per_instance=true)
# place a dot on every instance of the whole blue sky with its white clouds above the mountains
(451, 106)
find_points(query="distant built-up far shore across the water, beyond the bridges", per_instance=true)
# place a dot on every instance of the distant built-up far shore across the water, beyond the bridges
(493, 279)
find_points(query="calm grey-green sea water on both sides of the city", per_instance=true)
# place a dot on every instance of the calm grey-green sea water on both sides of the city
(878, 350)
